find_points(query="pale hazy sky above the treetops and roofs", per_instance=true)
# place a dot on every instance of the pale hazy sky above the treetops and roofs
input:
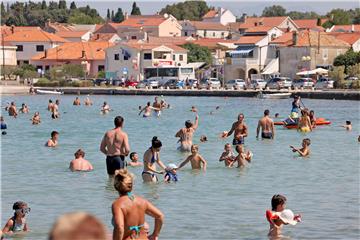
(238, 7)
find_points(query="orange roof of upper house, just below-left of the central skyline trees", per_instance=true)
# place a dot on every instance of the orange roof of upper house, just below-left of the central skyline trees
(142, 21)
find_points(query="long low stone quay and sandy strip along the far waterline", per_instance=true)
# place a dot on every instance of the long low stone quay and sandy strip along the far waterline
(329, 94)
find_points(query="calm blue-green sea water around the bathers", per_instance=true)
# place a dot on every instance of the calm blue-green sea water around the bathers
(219, 204)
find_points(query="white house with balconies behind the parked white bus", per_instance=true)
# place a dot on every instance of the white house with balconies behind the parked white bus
(137, 60)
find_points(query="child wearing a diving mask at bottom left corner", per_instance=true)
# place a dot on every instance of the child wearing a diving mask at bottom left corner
(17, 223)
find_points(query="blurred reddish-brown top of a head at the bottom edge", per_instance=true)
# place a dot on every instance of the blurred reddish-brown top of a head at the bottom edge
(78, 226)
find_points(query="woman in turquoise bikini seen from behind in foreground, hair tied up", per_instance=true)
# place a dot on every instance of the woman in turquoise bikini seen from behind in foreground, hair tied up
(129, 211)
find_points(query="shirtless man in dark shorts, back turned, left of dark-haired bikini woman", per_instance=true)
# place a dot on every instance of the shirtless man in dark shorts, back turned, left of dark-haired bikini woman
(115, 145)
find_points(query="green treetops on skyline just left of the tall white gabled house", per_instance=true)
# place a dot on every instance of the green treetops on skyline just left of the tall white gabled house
(189, 10)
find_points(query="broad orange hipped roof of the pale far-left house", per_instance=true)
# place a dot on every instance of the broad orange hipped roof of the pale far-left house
(34, 36)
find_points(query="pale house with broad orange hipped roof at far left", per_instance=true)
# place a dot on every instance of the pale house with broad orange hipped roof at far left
(31, 43)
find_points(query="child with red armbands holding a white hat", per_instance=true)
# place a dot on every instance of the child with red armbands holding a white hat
(279, 216)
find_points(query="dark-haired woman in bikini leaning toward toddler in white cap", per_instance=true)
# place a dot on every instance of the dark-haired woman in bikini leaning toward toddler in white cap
(152, 156)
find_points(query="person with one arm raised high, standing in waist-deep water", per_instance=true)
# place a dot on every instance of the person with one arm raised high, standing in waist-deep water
(186, 134)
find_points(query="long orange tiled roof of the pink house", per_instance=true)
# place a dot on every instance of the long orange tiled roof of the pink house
(74, 51)
